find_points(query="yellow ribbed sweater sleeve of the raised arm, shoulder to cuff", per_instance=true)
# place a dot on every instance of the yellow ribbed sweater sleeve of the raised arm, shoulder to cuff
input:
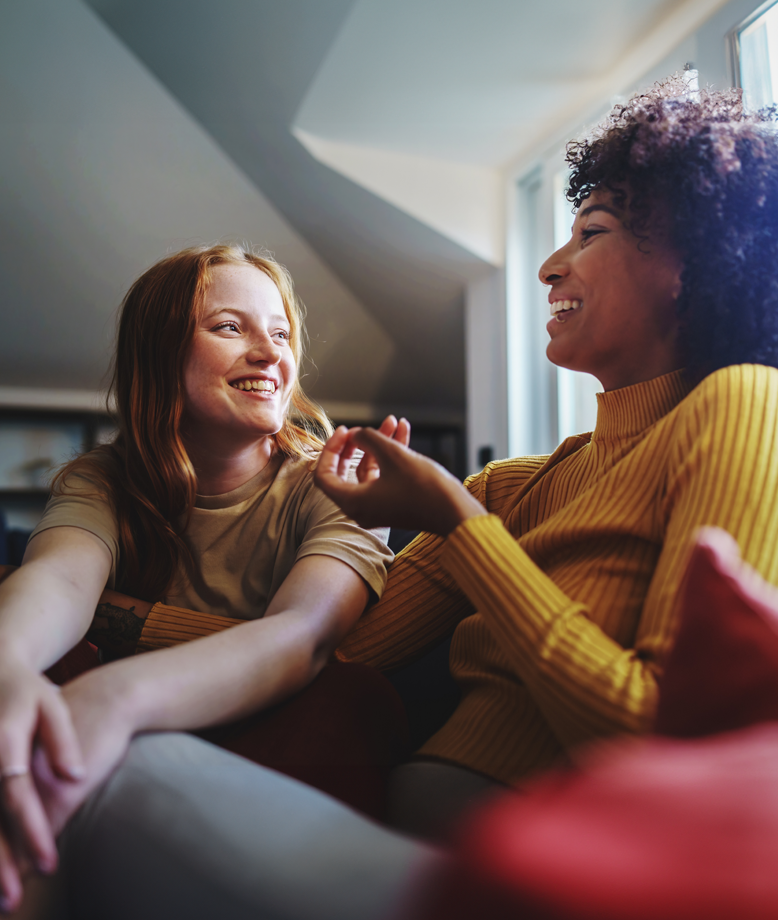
(721, 471)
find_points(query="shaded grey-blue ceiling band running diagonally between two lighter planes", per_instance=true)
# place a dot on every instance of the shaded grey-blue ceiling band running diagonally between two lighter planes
(241, 70)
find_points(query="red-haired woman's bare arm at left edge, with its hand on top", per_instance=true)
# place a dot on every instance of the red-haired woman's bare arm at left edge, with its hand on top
(45, 608)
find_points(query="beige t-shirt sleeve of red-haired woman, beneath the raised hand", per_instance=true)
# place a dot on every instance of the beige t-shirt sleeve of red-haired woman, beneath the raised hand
(328, 532)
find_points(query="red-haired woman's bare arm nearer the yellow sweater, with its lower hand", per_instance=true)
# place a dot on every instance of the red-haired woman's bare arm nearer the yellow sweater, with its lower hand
(214, 679)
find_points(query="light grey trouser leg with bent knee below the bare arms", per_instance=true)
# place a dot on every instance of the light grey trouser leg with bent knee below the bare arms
(184, 829)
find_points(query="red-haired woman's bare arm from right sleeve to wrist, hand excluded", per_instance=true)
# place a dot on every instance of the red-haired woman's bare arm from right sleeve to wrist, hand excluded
(229, 674)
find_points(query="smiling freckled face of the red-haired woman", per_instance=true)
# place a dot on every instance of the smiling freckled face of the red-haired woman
(240, 370)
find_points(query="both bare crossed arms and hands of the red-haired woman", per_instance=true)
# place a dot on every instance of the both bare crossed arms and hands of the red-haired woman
(74, 739)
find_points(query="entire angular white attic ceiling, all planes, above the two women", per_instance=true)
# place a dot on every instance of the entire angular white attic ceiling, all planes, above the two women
(132, 127)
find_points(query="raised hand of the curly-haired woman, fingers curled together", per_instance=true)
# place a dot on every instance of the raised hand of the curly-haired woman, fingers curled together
(397, 487)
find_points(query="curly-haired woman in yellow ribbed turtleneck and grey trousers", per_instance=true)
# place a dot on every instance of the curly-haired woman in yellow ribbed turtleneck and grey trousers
(558, 575)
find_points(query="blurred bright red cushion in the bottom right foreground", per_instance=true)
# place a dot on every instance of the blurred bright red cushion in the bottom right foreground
(659, 828)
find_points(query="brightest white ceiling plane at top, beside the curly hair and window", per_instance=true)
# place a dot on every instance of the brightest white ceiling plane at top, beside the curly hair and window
(435, 114)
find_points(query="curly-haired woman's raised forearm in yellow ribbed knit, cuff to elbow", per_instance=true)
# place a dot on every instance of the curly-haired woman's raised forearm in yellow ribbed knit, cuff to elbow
(585, 683)
